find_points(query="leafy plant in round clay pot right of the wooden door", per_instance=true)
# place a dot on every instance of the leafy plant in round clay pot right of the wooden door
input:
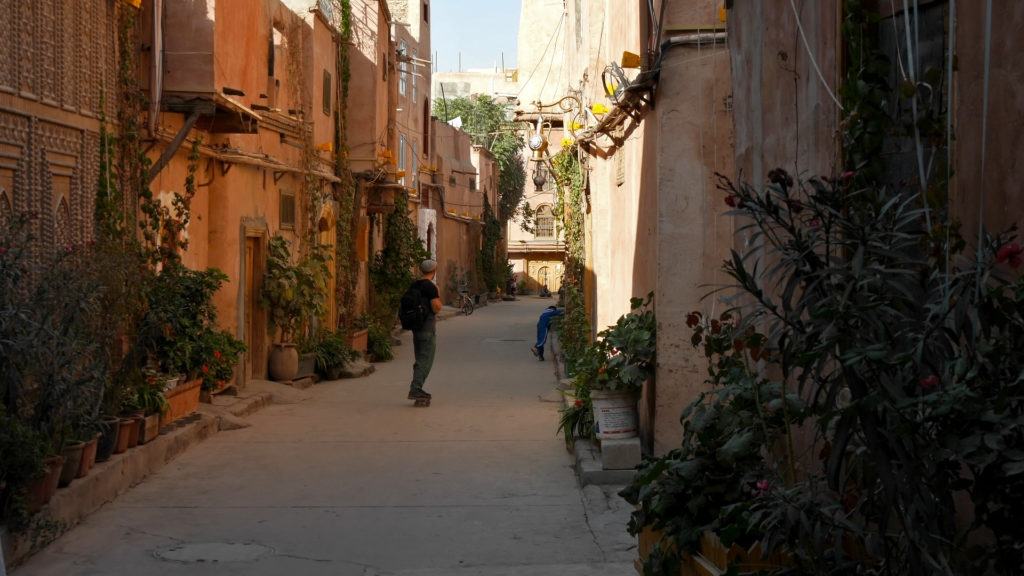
(293, 295)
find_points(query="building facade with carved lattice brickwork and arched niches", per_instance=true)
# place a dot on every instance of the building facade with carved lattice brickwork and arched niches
(58, 66)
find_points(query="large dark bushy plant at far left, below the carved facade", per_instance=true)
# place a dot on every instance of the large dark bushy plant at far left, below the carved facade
(53, 366)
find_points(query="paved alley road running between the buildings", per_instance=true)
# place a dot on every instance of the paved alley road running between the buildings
(356, 481)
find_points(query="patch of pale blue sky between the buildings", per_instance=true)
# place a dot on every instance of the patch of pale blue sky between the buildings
(481, 30)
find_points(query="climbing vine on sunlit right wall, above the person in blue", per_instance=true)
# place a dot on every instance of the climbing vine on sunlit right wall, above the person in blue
(575, 328)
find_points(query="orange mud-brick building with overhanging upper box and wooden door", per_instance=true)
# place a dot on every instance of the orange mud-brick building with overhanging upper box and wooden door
(253, 89)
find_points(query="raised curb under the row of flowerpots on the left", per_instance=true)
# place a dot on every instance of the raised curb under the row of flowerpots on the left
(113, 478)
